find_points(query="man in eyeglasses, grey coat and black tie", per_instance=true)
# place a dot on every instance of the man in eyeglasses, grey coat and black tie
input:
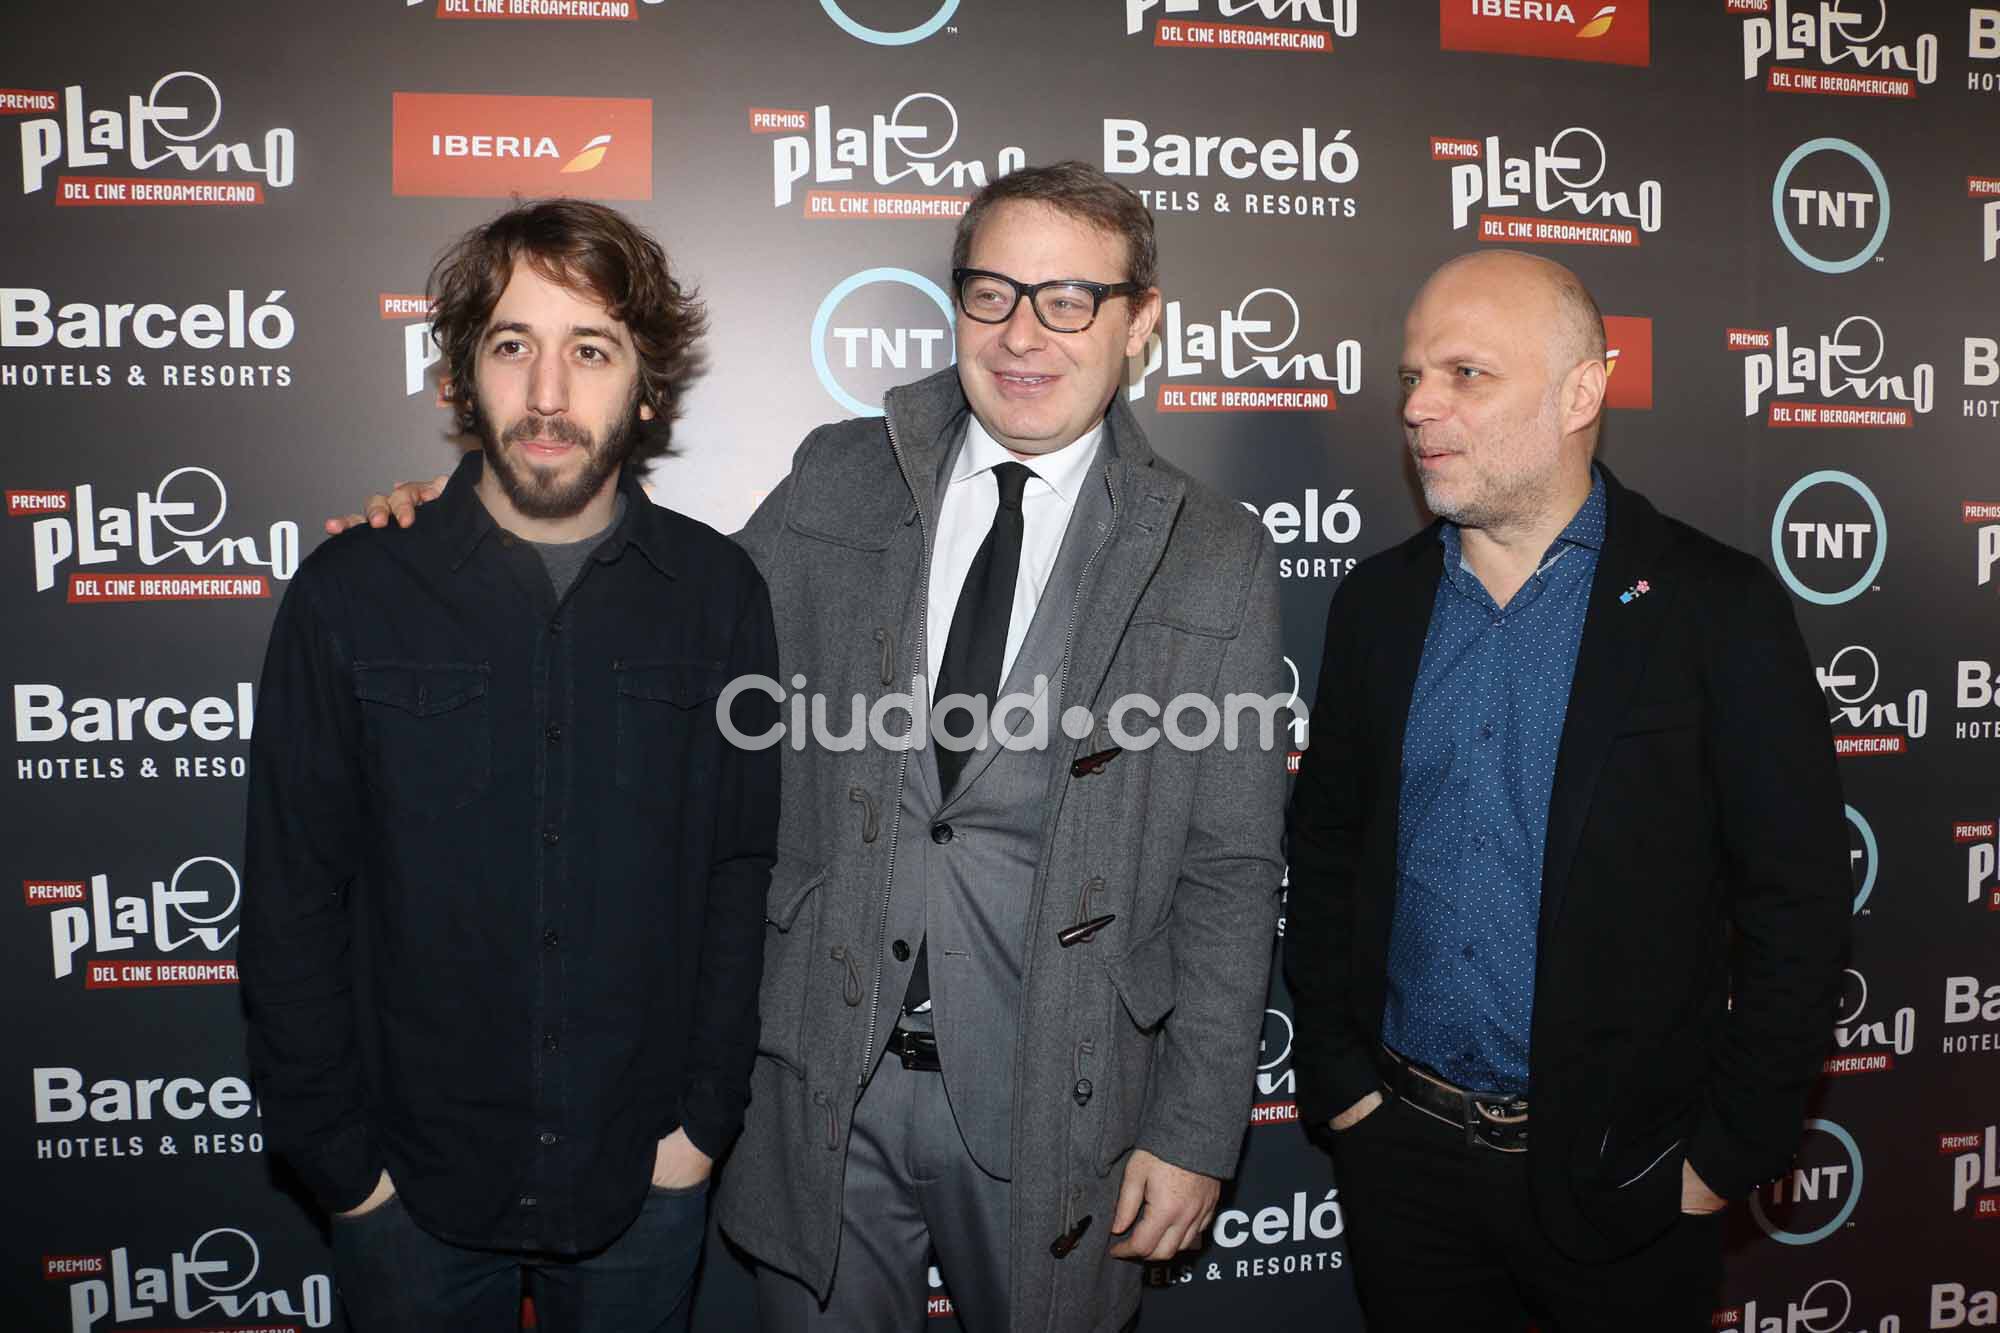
(1011, 996)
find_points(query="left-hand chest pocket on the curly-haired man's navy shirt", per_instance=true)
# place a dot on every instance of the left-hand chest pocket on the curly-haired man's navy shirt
(427, 738)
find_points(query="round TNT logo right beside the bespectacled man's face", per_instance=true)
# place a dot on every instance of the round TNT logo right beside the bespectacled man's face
(877, 331)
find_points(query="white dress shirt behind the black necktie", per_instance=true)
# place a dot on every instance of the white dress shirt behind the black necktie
(973, 499)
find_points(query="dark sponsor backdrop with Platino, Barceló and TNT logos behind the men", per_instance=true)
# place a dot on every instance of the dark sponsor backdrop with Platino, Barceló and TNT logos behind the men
(215, 227)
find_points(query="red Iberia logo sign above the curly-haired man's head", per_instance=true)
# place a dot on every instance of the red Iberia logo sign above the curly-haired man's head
(493, 145)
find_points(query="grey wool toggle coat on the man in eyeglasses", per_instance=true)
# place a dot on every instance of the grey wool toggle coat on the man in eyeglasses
(1159, 1014)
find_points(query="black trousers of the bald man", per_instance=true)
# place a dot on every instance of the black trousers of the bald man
(1445, 1236)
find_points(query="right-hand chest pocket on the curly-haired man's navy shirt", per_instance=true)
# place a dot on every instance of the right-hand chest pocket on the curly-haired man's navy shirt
(667, 728)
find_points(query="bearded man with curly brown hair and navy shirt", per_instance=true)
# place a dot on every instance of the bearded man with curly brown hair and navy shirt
(505, 898)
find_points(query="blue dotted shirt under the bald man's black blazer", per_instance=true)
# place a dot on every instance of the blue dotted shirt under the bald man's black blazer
(1479, 764)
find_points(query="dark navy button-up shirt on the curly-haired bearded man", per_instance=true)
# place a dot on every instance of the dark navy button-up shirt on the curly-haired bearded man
(505, 880)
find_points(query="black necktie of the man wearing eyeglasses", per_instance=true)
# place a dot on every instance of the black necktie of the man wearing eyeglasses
(975, 651)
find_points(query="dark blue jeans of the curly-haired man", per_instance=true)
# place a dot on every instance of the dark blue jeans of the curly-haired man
(397, 1278)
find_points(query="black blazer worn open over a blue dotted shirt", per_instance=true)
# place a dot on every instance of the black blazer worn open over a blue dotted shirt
(1695, 852)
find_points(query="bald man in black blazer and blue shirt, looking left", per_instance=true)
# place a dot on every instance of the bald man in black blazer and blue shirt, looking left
(1569, 866)
